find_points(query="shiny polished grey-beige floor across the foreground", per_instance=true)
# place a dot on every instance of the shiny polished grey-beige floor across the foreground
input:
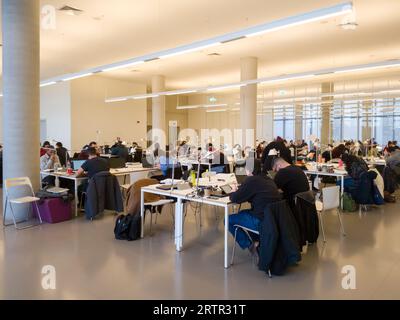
(91, 264)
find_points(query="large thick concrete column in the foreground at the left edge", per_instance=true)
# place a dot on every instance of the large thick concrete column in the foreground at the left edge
(21, 101)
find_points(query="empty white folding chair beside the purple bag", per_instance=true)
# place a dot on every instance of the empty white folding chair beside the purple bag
(28, 199)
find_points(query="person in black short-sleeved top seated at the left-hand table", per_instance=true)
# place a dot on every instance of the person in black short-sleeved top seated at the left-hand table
(93, 165)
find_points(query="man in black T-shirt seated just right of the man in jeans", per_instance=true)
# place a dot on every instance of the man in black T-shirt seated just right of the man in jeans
(290, 179)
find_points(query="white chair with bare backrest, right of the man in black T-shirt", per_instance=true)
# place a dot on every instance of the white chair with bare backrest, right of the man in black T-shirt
(330, 200)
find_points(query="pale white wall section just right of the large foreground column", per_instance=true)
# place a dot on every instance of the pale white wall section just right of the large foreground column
(55, 108)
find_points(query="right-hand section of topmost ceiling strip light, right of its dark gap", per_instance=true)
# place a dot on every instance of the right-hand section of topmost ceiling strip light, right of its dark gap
(316, 15)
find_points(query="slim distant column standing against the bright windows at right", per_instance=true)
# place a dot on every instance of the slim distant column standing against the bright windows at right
(326, 107)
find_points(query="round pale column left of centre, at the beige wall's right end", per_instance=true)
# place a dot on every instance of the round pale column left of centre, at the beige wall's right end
(158, 112)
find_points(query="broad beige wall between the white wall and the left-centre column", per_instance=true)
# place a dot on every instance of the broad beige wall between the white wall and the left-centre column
(126, 119)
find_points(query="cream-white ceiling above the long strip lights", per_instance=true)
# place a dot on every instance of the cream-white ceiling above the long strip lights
(109, 31)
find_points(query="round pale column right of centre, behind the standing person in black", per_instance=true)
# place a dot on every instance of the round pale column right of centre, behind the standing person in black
(248, 101)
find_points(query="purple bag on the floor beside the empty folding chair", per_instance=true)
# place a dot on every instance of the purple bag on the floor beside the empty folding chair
(54, 210)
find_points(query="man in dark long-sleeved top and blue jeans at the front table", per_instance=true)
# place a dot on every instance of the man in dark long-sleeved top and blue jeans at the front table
(259, 191)
